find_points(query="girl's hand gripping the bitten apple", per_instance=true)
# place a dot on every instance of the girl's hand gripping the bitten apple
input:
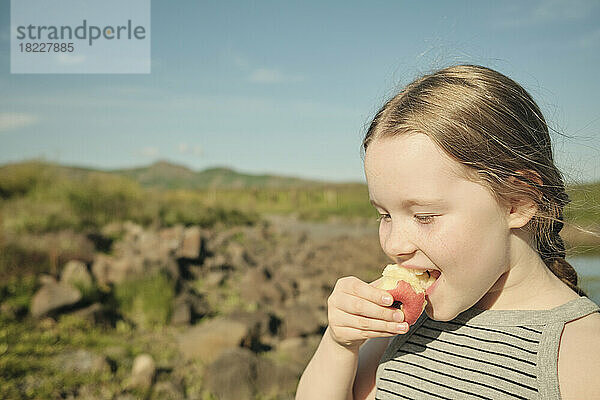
(357, 311)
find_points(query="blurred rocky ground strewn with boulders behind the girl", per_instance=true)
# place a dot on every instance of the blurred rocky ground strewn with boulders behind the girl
(223, 313)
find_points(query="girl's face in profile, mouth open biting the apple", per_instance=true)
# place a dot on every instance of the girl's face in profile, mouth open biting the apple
(432, 218)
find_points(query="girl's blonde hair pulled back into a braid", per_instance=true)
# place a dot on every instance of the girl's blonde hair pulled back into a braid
(491, 125)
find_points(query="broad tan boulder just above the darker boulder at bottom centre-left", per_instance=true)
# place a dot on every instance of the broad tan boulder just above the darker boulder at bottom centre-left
(206, 341)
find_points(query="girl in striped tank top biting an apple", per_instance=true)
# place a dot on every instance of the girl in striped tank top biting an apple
(459, 166)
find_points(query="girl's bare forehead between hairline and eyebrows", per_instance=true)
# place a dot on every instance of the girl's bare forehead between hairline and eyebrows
(410, 165)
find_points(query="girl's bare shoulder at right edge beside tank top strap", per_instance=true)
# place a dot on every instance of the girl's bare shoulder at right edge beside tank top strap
(579, 358)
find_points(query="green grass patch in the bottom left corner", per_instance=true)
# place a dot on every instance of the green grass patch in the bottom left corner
(29, 351)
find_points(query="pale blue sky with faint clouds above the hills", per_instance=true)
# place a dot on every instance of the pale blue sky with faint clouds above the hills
(288, 87)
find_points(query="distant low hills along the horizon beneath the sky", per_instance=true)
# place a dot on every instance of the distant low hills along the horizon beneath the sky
(167, 175)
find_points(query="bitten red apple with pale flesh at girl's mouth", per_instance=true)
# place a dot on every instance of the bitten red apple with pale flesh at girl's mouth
(407, 287)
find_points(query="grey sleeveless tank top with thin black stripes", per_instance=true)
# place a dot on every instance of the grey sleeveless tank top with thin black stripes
(481, 354)
